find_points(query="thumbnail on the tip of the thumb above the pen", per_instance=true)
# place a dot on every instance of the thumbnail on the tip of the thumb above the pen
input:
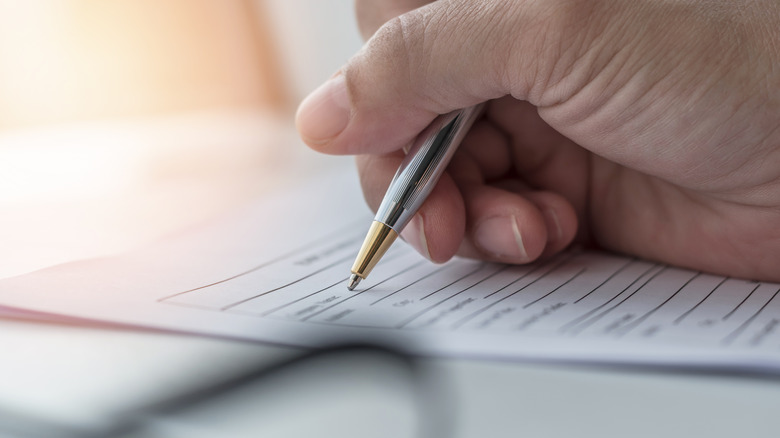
(325, 112)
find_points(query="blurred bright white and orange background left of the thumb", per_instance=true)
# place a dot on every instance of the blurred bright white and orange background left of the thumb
(123, 120)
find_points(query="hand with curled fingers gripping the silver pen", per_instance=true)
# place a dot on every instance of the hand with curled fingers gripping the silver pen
(649, 128)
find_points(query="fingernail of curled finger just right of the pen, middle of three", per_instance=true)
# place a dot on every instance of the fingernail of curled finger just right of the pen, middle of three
(500, 236)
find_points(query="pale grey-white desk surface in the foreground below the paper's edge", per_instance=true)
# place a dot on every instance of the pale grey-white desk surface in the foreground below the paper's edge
(79, 376)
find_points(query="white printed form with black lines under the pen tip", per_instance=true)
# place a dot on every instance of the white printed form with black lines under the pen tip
(277, 273)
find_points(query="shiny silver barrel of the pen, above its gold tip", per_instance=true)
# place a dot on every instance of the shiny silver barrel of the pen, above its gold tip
(423, 166)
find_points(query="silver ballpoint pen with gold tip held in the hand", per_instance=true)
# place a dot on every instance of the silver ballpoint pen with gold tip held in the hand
(420, 170)
